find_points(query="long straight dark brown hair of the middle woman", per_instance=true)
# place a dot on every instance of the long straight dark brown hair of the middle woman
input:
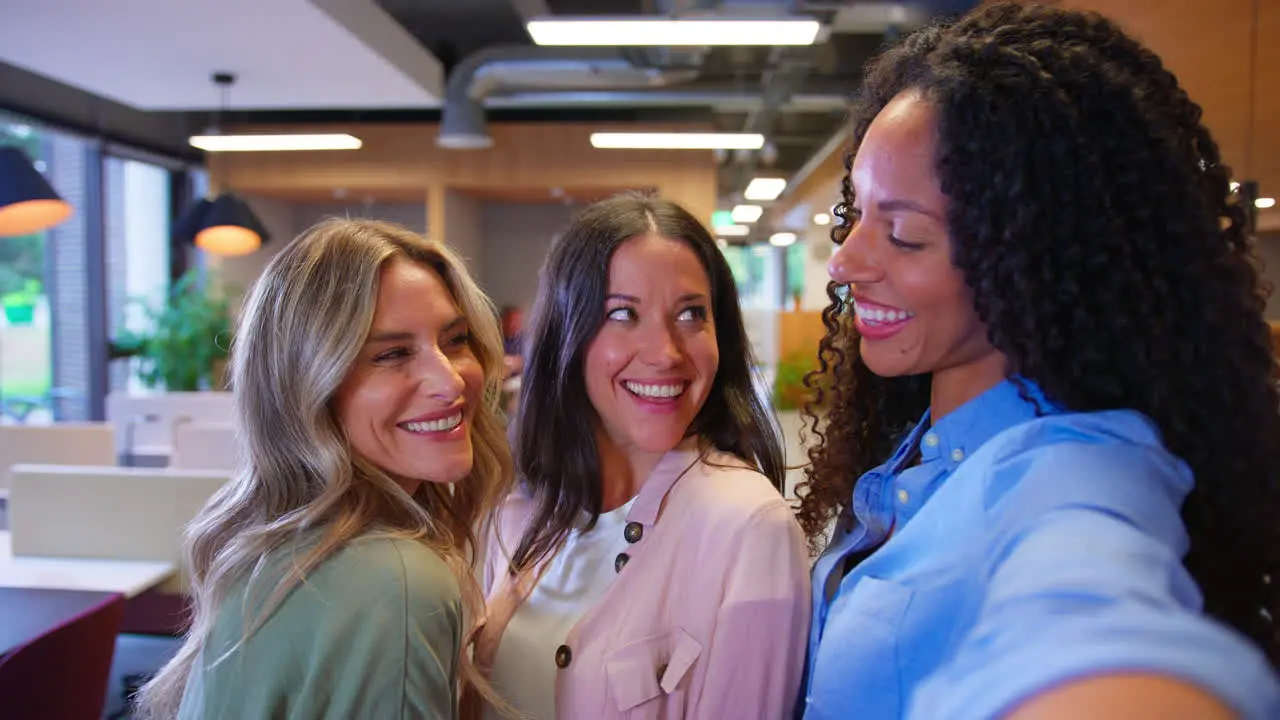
(556, 454)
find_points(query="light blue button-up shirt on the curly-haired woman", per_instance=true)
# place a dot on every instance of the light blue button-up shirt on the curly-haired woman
(1026, 549)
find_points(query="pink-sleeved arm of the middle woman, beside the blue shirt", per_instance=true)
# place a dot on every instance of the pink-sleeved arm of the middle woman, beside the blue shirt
(756, 658)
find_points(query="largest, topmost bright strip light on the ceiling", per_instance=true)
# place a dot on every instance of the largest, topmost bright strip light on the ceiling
(661, 33)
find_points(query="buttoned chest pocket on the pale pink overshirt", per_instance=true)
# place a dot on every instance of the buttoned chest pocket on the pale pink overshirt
(643, 673)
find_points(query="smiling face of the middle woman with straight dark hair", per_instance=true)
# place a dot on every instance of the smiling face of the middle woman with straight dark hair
(652, 364)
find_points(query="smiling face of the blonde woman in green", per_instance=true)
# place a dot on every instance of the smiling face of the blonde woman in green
(408, 402)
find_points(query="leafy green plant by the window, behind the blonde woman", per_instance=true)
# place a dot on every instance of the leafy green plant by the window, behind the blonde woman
(190, 335)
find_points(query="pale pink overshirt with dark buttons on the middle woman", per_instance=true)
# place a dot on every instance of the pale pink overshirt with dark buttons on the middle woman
(708, 617)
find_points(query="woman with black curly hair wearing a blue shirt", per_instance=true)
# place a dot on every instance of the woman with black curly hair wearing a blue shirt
(1050, 436)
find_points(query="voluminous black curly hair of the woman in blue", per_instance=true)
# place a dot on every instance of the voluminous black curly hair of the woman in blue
(1092, 218)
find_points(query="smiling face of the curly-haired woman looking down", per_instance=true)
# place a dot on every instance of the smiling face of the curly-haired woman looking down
(915, 311)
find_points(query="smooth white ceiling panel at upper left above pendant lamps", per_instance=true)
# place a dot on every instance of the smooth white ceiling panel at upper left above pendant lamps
(286, 54)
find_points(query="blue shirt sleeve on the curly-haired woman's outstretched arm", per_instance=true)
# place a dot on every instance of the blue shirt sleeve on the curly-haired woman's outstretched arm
(1085, 578)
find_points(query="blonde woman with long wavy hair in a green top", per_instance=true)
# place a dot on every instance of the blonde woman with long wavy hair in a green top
(332, 577)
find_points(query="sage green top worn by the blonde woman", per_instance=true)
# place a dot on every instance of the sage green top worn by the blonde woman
(373, 632)
